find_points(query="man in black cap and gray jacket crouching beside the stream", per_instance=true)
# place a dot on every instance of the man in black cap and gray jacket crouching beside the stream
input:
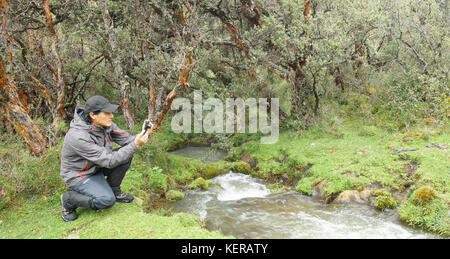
(87, 157)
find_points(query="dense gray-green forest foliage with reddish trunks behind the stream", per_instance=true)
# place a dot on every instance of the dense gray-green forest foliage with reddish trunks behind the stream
(391, 56)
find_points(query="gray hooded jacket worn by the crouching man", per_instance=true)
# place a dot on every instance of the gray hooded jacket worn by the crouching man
(87, 148)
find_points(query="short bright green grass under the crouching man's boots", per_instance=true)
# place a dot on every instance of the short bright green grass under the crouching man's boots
(40, 218)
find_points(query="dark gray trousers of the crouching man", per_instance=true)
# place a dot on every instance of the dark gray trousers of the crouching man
(100, 190)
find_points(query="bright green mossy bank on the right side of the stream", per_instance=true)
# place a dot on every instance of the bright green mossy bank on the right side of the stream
(360, 157)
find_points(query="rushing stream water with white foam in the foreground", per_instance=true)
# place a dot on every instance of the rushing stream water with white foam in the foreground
(241, 205)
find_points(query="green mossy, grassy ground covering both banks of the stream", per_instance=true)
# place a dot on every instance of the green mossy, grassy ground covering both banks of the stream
(351, 156)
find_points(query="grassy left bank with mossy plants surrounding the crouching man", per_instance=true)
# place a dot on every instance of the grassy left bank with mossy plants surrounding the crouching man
(29, 197)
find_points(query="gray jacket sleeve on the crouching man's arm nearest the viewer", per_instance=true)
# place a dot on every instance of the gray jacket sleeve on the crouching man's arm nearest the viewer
(98, 155)
